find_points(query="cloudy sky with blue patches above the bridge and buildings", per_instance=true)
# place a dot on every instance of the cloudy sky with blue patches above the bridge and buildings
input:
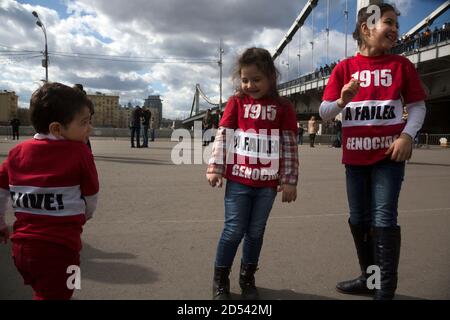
(137, 48)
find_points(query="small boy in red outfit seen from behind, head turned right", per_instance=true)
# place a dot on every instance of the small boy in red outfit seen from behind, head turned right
(53, 184)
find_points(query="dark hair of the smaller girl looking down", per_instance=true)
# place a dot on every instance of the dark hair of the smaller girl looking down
(262, 59)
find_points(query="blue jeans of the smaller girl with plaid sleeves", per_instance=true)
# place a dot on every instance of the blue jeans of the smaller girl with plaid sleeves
(246, 212)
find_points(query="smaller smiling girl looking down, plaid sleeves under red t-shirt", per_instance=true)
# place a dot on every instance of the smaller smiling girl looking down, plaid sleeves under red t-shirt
(255, 149)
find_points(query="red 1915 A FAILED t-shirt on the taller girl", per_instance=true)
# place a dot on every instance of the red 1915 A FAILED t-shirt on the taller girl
(374, 118)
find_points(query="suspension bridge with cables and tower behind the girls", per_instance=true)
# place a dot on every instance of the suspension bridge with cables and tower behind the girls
(430, 55)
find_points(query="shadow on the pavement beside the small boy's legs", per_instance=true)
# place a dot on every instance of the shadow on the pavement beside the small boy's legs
(101, 266)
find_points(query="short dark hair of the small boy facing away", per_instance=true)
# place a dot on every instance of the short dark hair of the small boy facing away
(55, 102)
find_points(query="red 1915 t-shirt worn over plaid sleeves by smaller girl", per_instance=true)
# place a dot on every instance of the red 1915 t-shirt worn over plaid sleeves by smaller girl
(256, 147)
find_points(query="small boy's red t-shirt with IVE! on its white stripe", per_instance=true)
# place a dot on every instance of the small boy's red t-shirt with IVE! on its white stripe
(47, 180)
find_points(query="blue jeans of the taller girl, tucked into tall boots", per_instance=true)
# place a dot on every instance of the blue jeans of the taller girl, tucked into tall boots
(373, 193)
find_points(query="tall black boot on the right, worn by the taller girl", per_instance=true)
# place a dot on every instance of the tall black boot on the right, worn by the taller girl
(387, 254)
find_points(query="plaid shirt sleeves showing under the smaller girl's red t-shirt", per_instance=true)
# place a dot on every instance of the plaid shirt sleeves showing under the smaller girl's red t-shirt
(288, 158)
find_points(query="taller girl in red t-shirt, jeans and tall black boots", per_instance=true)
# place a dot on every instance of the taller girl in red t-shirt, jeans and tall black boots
(371, 91)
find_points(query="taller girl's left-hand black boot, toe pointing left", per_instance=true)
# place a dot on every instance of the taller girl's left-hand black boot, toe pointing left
(364, 249)
